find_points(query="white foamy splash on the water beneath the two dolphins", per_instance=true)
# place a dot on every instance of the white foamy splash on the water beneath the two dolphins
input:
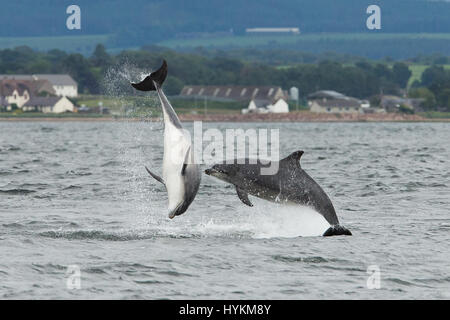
(286, 222)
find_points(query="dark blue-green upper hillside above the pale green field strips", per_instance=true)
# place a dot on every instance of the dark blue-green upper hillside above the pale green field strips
(144, 21)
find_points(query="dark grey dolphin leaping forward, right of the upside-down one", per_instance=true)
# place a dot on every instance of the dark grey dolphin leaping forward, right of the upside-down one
(290, 184)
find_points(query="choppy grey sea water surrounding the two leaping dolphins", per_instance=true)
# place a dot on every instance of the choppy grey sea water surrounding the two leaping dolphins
(76, 193)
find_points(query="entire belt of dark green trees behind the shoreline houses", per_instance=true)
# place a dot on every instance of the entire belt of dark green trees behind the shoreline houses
(361, 79)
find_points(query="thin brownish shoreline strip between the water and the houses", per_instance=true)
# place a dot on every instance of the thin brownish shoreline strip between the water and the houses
(273, 117)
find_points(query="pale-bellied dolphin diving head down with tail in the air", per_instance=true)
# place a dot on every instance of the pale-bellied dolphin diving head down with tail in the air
(181, 176)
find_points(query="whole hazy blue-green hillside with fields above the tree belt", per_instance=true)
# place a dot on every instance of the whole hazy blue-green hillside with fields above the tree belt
(409, 27)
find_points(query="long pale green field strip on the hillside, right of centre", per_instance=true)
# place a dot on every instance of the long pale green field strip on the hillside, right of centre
(371, 45)
